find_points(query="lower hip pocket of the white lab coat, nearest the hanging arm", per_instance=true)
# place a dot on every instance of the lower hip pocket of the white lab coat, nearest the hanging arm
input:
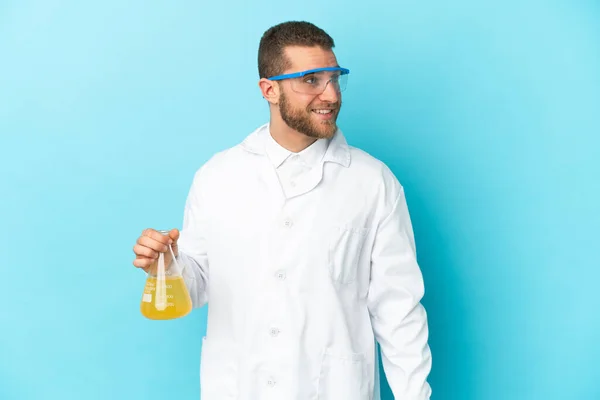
(343, 376)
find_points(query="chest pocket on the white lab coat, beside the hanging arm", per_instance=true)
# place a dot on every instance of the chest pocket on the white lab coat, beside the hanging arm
(345, 245)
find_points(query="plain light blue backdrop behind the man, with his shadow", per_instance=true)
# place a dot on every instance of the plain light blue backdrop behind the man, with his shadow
(487, 112)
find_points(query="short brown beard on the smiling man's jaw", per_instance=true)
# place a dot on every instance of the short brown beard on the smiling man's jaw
(303, 122)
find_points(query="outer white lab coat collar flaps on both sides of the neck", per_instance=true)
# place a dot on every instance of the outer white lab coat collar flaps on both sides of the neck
(338, 150)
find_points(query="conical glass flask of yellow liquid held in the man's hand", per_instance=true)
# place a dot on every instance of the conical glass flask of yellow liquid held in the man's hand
(165, 294)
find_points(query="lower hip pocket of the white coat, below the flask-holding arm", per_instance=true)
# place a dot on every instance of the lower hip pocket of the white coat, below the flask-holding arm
(217, 371)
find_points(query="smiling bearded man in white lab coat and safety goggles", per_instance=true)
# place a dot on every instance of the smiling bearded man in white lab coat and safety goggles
(302, 247)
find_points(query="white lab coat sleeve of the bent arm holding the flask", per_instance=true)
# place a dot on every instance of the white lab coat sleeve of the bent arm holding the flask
(192, 244)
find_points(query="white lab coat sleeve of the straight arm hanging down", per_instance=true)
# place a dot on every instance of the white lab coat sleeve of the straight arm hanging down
(398, 318)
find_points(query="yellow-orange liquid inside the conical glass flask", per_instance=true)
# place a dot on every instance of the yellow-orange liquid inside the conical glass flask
(179, 303)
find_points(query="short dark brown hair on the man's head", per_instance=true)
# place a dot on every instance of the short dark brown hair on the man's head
(271, 51)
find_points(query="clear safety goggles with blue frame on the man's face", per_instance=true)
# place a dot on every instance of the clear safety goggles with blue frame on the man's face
(314, 81)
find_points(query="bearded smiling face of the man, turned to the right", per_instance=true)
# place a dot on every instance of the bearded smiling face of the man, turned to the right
(313, 115)
